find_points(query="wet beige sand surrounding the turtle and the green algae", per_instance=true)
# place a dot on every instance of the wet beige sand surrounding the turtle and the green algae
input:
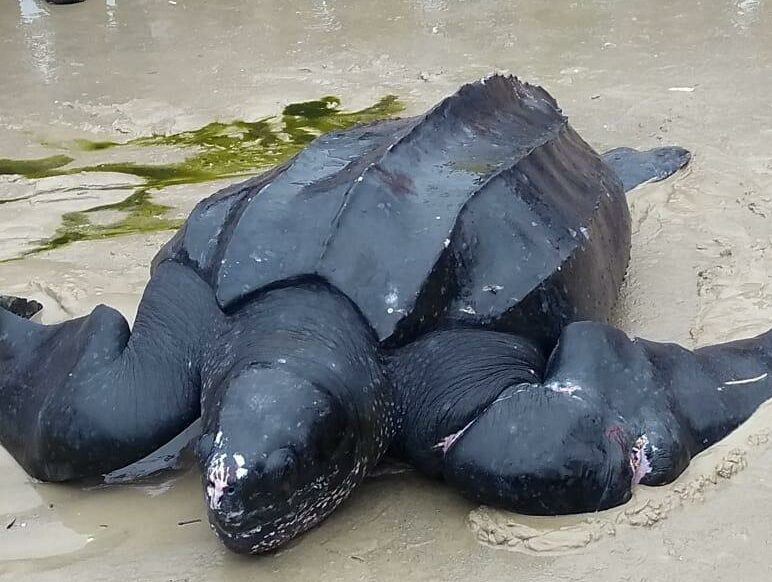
(697, 74)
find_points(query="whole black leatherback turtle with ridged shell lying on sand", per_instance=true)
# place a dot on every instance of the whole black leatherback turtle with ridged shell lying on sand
(437, 286)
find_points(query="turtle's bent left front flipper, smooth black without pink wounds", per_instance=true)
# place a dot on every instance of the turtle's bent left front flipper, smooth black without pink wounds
(88, 396)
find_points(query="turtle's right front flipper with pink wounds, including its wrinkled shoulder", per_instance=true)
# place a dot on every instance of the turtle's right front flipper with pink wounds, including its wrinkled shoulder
(608, 413)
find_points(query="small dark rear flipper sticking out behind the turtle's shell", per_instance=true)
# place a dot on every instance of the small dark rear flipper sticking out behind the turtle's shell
(639, 167)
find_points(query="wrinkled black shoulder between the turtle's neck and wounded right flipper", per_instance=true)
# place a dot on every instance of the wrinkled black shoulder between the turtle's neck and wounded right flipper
(446, 380)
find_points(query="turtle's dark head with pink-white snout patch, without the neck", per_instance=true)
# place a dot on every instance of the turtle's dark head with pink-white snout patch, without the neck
(278, 454)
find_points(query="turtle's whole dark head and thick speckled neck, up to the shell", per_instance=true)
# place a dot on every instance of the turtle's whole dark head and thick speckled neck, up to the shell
(296, 410)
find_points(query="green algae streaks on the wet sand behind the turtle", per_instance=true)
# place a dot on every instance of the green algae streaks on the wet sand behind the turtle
(217, 150)
